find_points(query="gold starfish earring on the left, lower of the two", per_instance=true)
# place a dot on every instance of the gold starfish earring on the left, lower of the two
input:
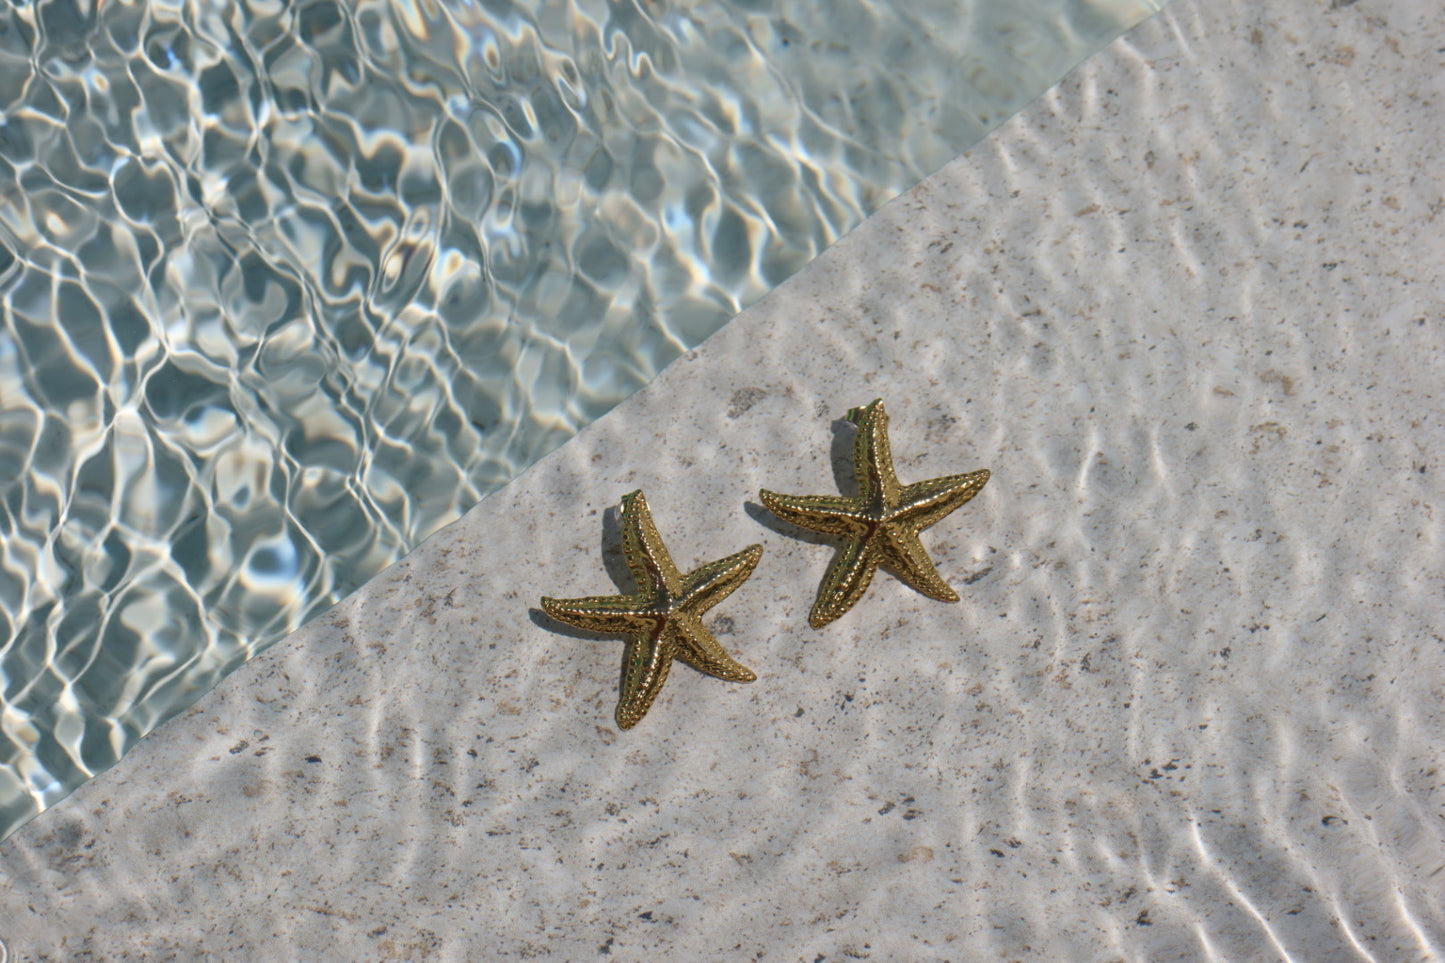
(664, 618)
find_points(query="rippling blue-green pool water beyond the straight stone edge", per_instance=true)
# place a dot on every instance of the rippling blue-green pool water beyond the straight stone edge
(284, 290)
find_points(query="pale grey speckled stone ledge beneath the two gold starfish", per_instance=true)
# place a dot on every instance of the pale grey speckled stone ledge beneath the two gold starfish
(1190, 309)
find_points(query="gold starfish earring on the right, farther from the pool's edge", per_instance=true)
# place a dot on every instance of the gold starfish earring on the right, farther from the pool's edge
(881, 524)
